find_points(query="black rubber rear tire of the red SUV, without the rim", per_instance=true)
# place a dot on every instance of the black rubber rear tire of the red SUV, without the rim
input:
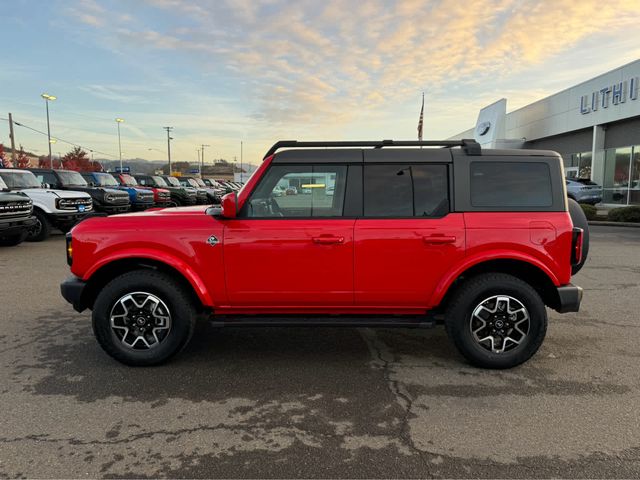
(471, 294)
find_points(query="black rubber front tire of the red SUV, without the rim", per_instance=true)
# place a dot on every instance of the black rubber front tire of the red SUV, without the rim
(180, 307)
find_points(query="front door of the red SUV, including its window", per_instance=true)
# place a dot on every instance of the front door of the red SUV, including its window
(291, 245)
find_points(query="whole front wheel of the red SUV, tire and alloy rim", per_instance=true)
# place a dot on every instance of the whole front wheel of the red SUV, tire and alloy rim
(143, 318)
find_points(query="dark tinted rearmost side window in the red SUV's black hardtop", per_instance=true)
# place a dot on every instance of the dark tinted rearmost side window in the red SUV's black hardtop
(510, 184)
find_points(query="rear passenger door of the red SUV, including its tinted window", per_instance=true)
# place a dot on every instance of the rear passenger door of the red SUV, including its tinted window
(407, 237)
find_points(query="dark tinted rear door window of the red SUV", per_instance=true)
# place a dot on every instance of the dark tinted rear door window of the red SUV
(406, 190)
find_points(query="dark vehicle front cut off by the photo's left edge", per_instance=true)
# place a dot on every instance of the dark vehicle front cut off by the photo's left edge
(16, 218)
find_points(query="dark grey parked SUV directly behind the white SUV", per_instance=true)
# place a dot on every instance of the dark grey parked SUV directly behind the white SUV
(107, 200)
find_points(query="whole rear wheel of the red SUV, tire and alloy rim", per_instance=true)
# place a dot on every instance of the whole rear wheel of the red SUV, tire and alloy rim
(496, 320)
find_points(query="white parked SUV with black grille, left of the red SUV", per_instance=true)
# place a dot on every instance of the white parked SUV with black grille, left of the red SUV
(59, 209)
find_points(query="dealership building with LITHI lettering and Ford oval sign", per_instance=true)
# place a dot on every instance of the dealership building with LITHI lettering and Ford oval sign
(594, 125)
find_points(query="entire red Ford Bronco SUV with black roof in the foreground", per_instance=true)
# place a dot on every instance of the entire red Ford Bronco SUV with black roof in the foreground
(383, 233)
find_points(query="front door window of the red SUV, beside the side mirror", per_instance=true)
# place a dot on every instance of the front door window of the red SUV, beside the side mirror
(290, 191)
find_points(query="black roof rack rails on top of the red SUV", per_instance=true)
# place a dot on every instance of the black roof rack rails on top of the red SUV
(470, 146)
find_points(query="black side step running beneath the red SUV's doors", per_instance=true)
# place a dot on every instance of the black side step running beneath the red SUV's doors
(421, 321)
